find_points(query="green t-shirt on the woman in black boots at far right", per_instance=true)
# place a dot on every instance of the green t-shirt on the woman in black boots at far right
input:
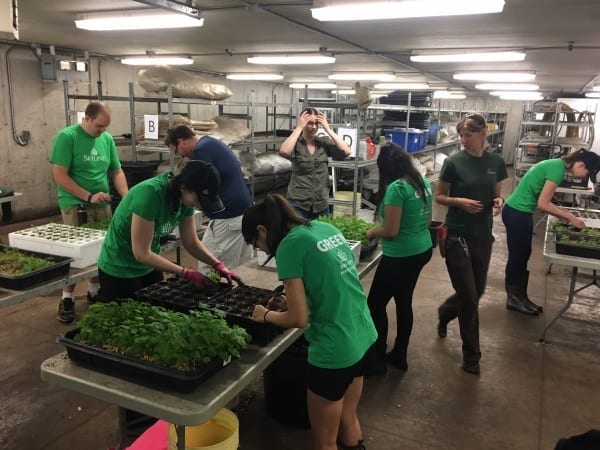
(525, 196)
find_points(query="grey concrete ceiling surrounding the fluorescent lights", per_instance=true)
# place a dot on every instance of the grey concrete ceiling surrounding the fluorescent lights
(234, 30)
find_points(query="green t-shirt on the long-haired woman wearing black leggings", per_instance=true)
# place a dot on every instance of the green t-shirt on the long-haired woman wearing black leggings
(413, 237)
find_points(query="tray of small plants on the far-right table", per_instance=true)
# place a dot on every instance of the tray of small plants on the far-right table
(576, 242)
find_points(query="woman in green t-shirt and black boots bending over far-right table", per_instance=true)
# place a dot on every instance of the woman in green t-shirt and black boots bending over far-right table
(536, 190)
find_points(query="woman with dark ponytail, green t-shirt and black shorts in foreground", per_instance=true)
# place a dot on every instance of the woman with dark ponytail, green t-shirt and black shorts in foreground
(325, 297)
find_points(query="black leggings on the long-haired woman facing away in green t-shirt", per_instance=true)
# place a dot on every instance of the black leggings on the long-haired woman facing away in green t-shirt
(395, 277)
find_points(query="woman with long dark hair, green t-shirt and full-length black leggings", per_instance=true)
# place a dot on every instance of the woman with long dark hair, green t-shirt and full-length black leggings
(404, 204)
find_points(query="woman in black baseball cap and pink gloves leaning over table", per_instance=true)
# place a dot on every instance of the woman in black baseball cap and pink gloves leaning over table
(130, 259)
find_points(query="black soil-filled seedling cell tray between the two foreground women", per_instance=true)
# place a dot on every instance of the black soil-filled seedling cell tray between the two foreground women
(237, 303)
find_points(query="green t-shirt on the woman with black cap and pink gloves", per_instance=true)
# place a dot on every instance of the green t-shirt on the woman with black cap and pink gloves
(149, 200)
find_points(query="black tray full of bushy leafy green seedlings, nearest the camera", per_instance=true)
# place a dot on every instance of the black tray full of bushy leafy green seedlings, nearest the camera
(153, 346)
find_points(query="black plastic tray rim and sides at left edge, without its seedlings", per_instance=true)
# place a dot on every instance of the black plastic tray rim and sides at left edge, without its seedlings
(59, 268)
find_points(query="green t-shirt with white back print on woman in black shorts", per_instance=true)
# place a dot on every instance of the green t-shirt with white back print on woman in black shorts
(340, 328)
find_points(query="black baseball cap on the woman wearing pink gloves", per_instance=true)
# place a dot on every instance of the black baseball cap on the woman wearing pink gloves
(204, 179)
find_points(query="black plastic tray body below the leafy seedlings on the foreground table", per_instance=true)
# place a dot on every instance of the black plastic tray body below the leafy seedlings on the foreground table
(136, 370)
